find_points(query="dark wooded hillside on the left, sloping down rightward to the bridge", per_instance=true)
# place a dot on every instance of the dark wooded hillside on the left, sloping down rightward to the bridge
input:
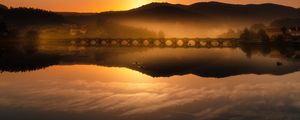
(22, 22)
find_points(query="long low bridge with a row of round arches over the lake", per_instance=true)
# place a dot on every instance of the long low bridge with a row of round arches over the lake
(164, 42)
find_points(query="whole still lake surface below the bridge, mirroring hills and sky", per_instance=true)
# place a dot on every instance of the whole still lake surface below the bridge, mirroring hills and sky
(80, 83)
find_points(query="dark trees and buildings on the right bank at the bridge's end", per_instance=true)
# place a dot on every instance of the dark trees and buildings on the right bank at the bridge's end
(280, 31)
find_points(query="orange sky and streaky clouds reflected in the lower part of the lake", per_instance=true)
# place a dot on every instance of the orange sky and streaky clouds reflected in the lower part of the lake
(93, 92)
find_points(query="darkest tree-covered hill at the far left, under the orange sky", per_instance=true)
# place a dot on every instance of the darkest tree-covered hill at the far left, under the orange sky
(22, 21)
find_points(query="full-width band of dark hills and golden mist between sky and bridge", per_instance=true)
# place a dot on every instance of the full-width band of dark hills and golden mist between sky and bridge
(155, 20)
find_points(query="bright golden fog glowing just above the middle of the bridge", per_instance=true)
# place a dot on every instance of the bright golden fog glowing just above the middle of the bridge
(188, 29)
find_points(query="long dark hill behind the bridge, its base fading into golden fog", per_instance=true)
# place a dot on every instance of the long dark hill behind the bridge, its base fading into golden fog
(202, 19)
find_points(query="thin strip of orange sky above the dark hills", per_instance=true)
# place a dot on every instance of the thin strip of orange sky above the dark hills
(106, 5)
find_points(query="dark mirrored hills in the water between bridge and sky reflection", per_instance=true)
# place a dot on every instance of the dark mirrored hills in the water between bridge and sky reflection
(159, 62)
